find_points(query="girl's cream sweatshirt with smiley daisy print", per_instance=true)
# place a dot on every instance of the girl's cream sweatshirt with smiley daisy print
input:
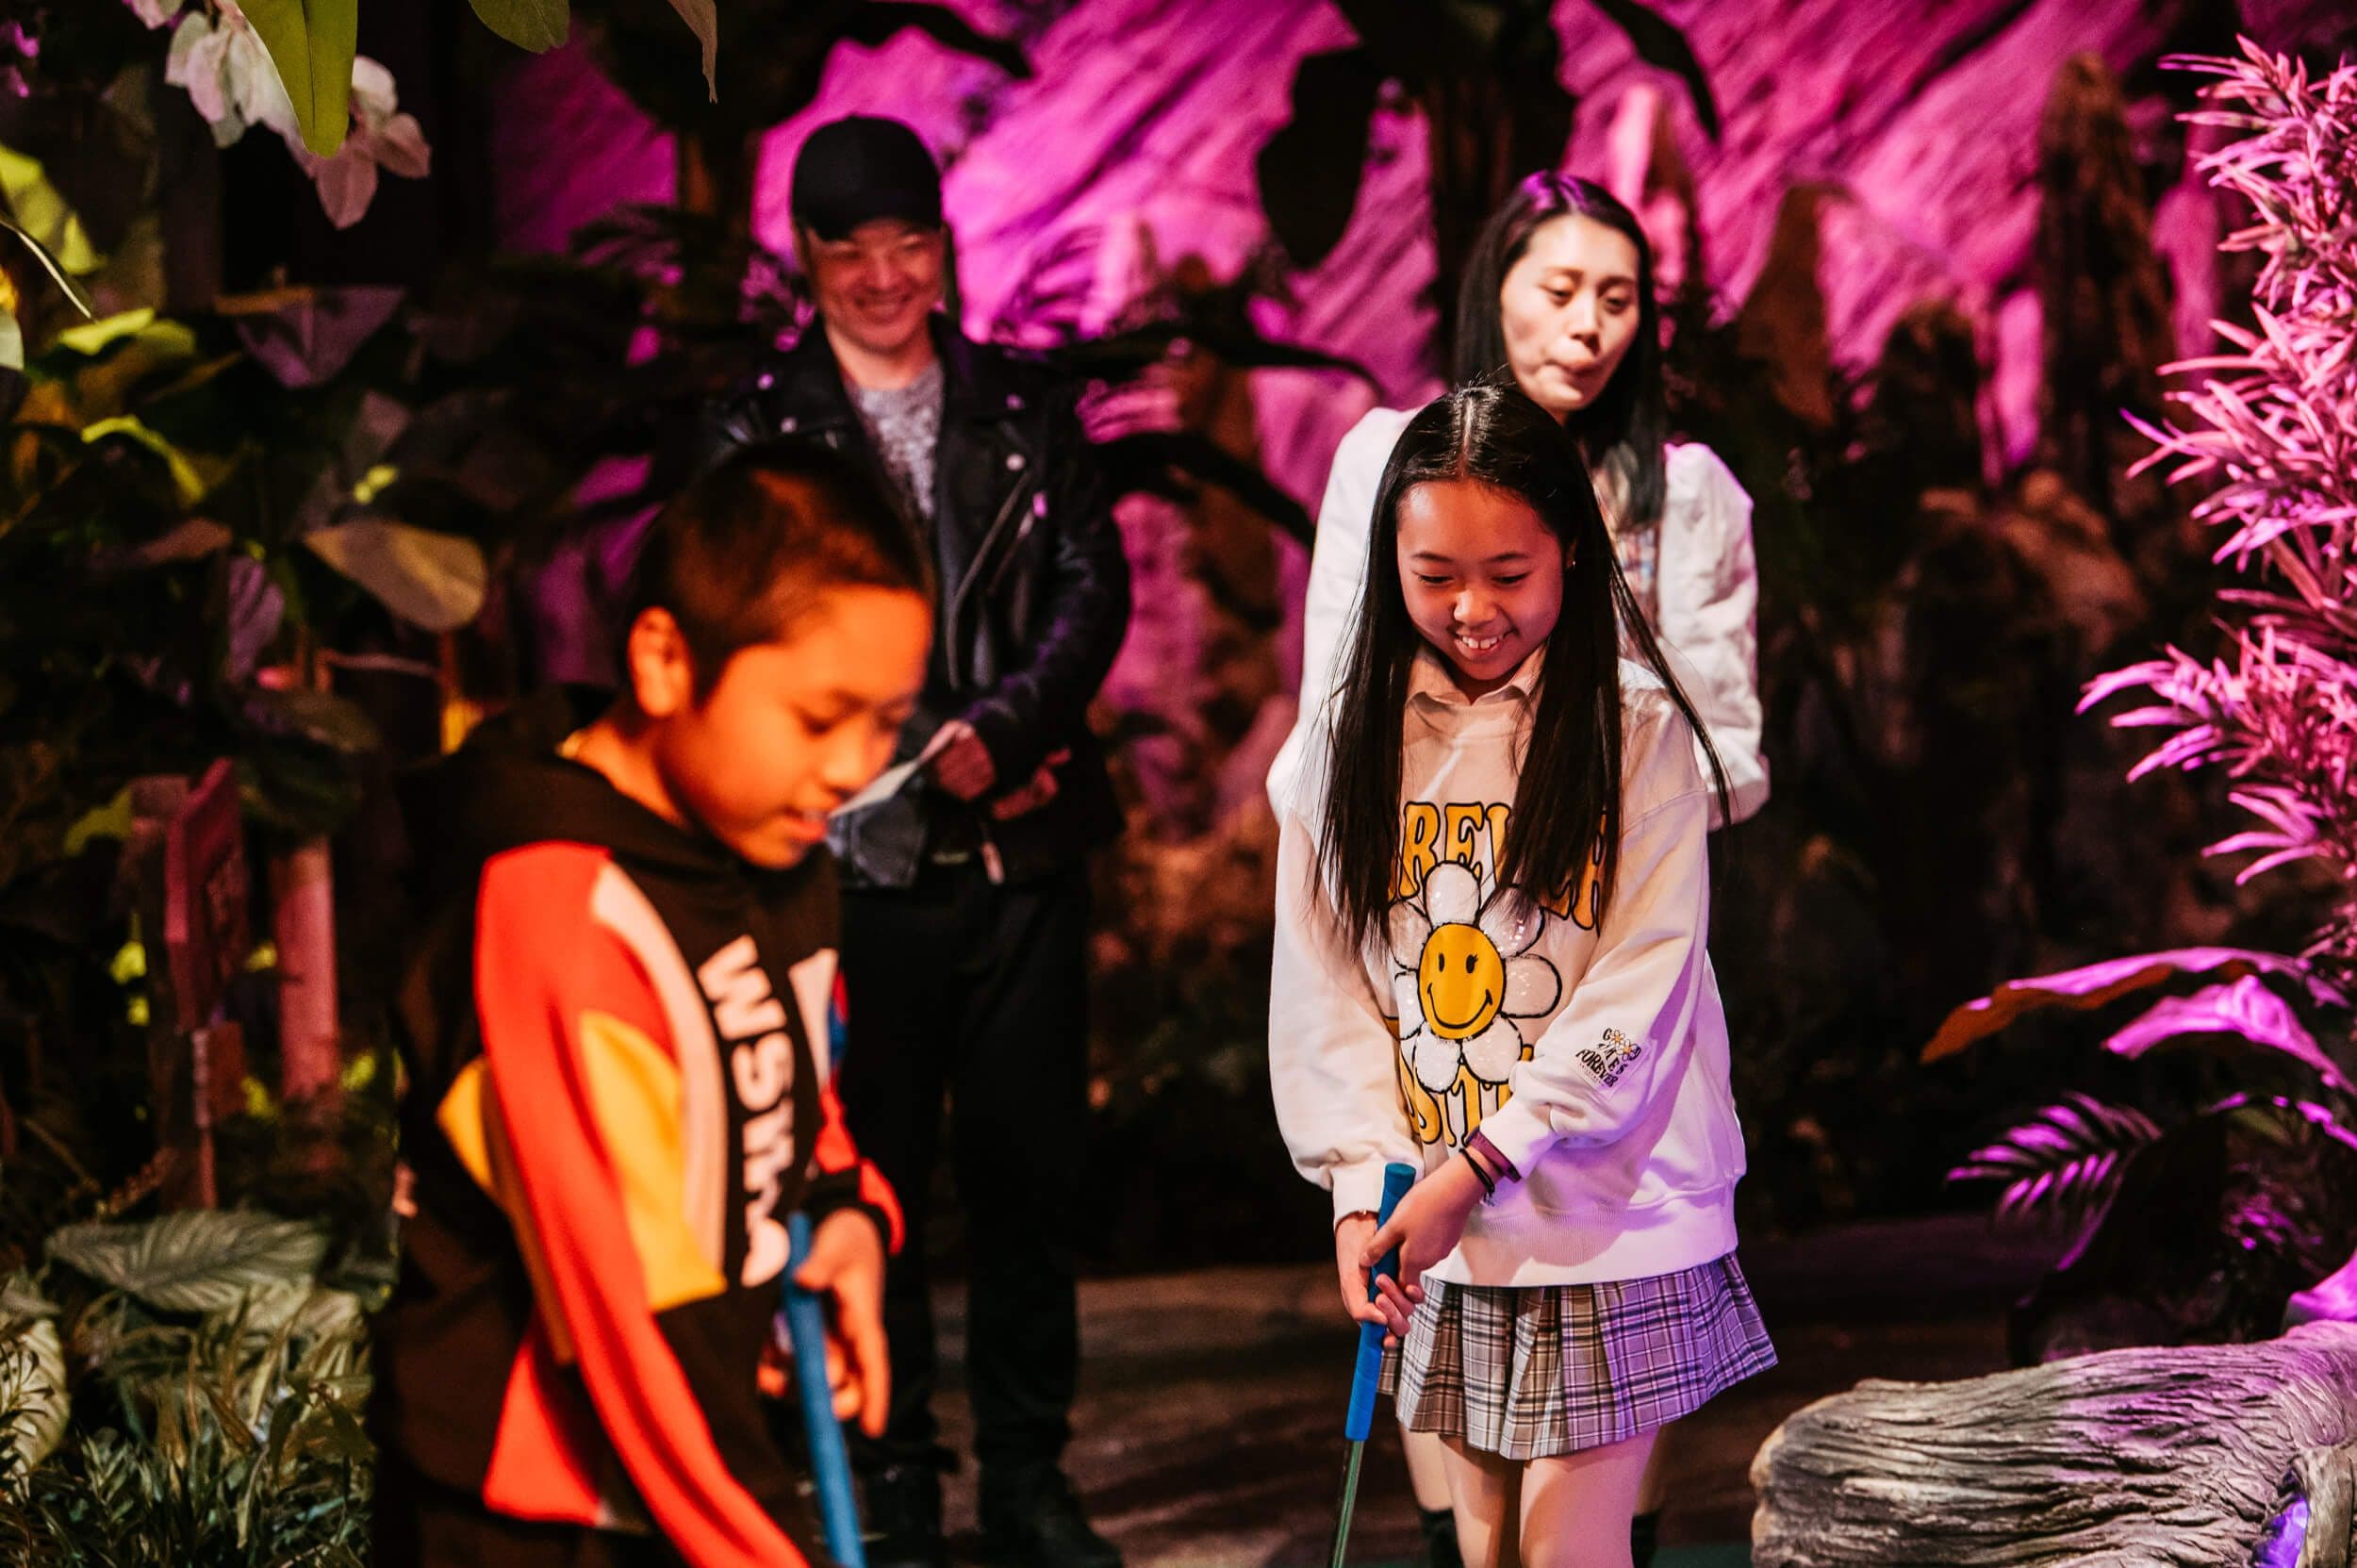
(1592, 1053)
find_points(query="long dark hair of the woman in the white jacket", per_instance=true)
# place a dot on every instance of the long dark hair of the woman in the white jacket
(1628, 428)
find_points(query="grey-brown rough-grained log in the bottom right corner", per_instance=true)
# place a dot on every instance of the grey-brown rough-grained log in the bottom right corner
(2153, 1456)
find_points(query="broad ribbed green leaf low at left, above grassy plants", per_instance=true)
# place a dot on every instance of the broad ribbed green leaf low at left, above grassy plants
(197, 1260)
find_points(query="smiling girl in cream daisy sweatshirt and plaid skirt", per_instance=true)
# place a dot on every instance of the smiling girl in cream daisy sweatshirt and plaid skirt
(1491, 963)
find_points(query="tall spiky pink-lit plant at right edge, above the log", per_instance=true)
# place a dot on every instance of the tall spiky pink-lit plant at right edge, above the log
(2273, 428)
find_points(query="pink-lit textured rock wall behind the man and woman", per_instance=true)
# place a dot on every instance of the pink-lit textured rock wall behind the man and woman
(1920, 119)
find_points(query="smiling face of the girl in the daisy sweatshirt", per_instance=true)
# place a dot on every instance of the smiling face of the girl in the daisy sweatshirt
(1481, 579)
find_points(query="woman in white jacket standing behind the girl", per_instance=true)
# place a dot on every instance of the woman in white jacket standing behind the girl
(1559, 291)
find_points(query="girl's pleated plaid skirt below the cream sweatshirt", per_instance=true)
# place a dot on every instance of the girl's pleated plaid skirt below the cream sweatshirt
(1540, 1371)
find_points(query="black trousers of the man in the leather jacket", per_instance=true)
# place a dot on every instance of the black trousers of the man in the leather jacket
(977, 994)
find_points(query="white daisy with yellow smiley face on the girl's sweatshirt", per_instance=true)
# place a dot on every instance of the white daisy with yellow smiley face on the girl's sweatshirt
(1465, 977)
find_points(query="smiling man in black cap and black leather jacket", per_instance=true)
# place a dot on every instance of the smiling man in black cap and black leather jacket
(968, 909)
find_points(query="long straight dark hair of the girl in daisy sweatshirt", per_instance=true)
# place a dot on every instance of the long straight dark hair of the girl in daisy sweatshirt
(1571, 767)
